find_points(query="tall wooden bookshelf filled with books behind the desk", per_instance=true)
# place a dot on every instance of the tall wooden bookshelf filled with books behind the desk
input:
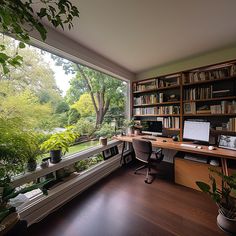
(205, 93)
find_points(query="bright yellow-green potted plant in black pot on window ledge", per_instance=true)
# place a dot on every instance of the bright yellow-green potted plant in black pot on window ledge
(58, 144)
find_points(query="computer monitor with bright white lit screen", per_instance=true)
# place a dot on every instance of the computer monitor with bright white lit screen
(199, 131)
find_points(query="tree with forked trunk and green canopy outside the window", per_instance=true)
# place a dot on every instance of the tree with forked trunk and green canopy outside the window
(105, 91)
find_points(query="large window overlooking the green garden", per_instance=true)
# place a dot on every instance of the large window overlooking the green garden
(48, 96)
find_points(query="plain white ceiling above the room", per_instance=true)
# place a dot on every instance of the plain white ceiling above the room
(141, 34)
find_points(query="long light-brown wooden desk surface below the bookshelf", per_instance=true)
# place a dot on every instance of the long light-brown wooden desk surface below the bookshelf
(170, 144)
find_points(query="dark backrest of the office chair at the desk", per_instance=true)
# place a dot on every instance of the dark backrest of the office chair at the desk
(142, 149)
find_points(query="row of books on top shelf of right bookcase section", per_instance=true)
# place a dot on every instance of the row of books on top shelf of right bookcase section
(214, 72)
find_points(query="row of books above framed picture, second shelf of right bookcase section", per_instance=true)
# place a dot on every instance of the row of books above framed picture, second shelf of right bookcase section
(198, 93)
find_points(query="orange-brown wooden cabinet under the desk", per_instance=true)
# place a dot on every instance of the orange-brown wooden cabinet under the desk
(187, 172)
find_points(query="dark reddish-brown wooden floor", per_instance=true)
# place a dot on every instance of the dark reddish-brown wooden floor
(123, 205)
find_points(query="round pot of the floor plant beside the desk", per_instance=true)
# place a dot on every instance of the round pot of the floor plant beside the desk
(226, 224)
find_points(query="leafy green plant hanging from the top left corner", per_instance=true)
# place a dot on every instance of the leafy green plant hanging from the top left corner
(18, 18)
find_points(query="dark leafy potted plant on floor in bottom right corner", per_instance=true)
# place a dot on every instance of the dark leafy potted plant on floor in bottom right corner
(224, 198)
